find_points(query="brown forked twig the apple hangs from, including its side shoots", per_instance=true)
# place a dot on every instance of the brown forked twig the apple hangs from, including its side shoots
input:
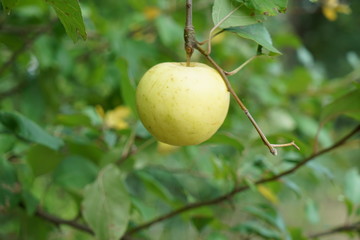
(191, 43)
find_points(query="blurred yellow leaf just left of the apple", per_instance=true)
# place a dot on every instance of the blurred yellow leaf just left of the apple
(116, 118)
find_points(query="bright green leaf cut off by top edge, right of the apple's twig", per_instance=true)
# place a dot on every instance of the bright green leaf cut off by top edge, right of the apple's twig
(267, 7)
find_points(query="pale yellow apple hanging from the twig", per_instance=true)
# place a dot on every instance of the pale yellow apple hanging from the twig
(182, 105)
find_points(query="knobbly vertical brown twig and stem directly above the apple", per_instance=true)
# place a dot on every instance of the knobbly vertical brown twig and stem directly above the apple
(189, 33)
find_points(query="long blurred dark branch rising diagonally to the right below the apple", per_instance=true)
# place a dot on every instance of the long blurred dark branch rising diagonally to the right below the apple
(243, 187)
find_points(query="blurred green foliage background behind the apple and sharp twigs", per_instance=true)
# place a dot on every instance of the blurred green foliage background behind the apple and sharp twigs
(82, 94)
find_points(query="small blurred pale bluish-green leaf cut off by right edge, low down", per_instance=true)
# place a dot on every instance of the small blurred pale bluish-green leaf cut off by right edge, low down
(352, 186)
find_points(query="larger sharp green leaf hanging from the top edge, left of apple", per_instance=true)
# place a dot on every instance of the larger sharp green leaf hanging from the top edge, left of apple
(69, 13)
